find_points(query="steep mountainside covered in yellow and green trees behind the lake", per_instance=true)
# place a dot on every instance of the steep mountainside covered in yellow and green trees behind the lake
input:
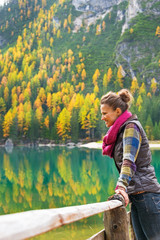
(58, 58)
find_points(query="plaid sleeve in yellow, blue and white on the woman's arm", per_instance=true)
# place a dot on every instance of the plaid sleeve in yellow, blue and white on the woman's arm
(131, 144)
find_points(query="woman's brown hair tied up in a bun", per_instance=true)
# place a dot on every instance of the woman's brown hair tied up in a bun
(122, 99)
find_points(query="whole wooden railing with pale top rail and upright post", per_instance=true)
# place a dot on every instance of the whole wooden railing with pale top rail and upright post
(28, 224)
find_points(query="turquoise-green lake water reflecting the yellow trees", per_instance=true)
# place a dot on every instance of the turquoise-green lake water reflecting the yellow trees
(57, 177)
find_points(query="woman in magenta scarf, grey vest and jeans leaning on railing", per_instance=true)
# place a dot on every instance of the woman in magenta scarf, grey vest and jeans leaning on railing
(127, 144)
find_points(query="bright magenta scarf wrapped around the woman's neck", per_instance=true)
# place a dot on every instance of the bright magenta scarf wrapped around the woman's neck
(111, 136)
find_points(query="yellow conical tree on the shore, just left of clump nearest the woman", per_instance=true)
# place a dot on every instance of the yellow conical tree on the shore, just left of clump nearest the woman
(63, 124)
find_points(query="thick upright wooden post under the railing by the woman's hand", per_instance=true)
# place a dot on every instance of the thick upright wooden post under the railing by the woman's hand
(116, 224)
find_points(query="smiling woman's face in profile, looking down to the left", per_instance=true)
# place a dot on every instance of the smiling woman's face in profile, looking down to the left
(109, 115)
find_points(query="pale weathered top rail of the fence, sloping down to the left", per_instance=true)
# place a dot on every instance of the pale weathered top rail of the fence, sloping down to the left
(27, 224)
